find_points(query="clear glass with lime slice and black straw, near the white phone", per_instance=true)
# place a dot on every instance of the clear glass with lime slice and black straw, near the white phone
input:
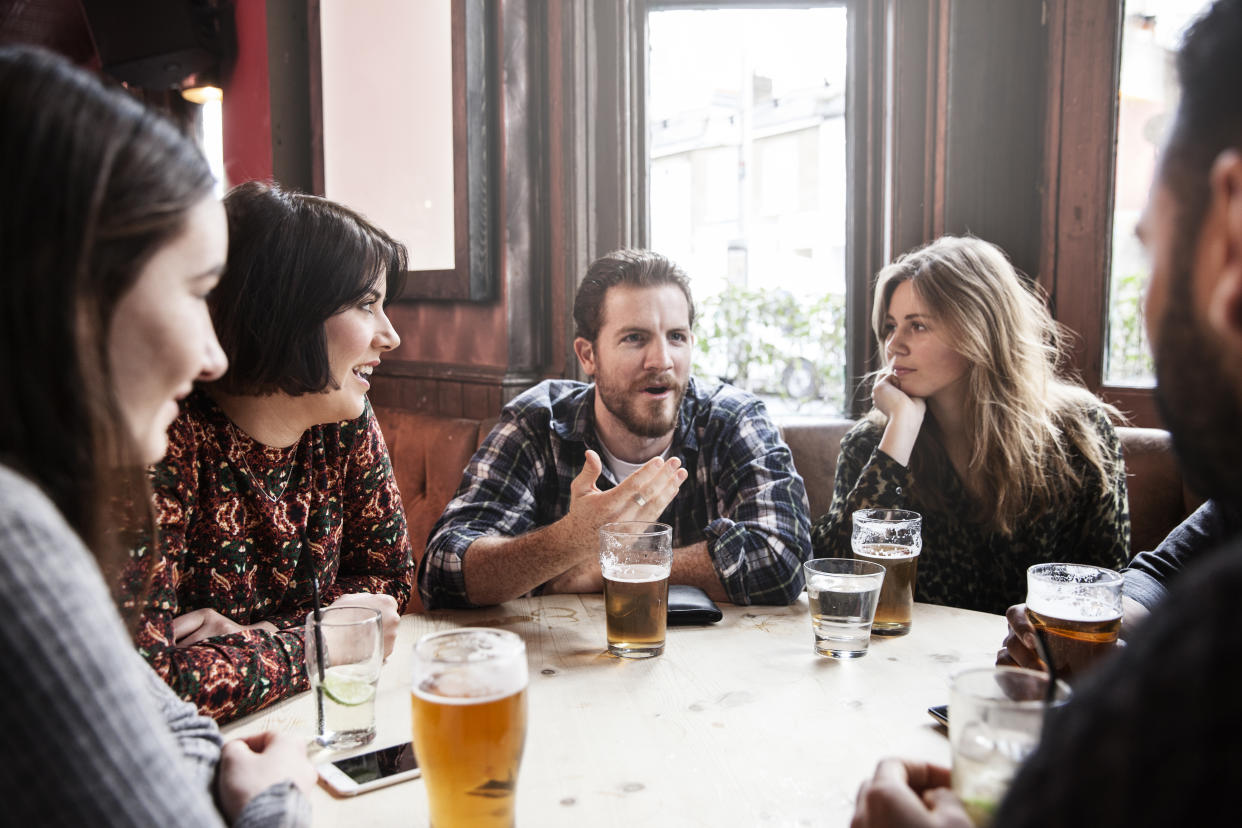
(345, 654)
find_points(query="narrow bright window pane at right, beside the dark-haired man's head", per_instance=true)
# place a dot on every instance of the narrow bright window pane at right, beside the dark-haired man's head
(1148, 96)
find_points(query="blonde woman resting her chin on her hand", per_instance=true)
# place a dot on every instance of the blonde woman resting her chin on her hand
(1009, 464)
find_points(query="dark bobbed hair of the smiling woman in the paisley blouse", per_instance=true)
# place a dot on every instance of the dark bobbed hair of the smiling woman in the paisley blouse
(295, 260)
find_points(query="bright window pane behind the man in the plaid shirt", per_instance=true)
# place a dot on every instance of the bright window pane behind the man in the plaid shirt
(746, 120)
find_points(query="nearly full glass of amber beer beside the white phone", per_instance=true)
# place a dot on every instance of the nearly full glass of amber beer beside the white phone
(469, 707)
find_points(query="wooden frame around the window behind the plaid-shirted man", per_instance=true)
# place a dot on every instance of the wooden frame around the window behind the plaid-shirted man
(896, 56)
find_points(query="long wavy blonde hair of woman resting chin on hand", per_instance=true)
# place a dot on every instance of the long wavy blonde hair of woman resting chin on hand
(1027, 421)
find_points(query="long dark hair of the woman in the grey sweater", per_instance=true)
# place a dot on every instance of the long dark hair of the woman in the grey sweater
(94, 184)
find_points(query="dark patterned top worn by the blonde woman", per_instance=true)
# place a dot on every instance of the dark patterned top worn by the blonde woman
(963, 564)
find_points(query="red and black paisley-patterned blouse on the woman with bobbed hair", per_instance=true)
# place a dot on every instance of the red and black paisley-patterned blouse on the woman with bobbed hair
(243, 526)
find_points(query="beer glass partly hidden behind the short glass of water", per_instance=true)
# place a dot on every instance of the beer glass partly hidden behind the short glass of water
(892, 538)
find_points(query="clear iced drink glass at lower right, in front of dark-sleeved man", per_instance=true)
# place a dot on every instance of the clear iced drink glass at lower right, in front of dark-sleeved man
(995, 717)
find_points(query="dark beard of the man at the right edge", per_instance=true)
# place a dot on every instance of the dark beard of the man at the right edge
(1198, 399)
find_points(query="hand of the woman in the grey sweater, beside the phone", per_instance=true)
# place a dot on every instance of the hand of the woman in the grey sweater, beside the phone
(249, 767)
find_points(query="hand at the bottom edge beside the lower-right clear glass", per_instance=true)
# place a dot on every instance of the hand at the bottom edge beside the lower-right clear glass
(906, 793)
